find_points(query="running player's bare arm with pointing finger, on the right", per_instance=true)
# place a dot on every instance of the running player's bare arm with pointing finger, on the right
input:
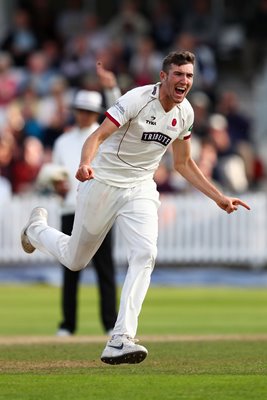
(185, 165)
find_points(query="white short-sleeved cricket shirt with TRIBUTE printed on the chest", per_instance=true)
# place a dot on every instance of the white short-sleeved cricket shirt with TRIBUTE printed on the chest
(145, 130)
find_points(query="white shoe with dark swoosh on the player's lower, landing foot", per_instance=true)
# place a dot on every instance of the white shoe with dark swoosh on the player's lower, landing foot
(121, 349)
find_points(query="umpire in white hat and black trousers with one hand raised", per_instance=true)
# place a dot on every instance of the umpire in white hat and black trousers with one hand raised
(87, 106)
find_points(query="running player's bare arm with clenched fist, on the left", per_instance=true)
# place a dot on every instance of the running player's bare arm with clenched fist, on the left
(90, 147)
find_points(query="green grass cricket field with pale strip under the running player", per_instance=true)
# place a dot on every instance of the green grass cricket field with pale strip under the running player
(203, 343)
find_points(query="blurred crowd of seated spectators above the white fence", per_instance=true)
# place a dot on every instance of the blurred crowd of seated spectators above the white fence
(45, 57)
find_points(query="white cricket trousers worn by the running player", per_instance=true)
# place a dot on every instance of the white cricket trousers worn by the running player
(98, 207)
